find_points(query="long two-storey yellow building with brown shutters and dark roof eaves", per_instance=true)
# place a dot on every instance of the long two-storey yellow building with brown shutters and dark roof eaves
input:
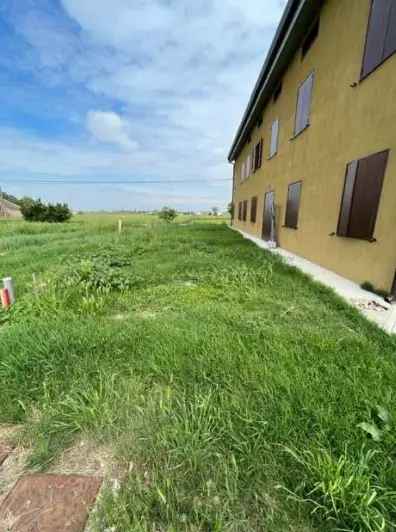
(315, 154)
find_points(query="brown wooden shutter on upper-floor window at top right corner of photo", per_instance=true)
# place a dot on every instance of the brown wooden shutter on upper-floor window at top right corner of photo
(380, 17)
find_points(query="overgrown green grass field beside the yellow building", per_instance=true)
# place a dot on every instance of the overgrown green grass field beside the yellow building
(235, 393)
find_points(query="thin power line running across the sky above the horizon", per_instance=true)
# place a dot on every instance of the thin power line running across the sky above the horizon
(108, 182)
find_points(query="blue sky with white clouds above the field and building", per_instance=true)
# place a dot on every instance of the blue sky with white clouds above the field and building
(127, 90)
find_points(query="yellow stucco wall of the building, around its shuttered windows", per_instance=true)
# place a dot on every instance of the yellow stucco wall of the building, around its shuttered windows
(345, 124)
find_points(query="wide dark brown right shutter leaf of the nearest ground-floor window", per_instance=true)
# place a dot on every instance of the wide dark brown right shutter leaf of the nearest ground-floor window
(366, 195)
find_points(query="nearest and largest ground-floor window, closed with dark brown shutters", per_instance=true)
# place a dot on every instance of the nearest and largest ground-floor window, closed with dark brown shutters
(361, 196)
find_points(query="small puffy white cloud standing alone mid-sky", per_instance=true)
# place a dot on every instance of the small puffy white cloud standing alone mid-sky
(108, 127)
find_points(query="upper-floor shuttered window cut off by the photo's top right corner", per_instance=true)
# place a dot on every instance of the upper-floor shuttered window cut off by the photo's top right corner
(381, 35)
